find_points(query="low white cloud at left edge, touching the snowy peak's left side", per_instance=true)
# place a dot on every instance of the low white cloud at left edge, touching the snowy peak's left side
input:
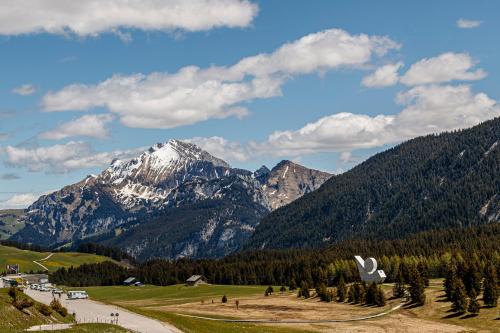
(63, 158)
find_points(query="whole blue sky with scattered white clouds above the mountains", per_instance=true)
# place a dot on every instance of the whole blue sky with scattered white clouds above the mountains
(324, 83)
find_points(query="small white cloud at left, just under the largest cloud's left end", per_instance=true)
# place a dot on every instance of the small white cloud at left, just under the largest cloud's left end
(94, 126)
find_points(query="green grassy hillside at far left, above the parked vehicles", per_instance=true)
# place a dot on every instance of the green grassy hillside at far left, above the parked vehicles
(11, 255)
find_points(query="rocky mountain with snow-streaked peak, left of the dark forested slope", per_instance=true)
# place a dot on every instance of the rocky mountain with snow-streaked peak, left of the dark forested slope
(174, 200)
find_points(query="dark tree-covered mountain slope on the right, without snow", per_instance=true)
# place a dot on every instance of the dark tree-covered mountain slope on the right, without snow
(432, 182)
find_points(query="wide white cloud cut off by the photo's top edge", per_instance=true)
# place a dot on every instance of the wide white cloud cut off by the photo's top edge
(93, 17)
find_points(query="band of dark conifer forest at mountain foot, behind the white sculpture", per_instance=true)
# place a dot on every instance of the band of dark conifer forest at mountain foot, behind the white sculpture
(433, 250)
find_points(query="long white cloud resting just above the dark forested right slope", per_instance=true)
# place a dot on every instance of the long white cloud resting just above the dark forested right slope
(425, 110)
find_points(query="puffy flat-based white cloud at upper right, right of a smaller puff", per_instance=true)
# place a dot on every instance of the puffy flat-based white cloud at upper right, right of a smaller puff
(443, 68)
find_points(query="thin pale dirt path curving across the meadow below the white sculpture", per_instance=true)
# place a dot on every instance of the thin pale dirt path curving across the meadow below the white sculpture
(296, 321)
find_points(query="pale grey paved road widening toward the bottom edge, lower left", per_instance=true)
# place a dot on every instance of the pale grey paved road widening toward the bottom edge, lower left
(88, 311)
